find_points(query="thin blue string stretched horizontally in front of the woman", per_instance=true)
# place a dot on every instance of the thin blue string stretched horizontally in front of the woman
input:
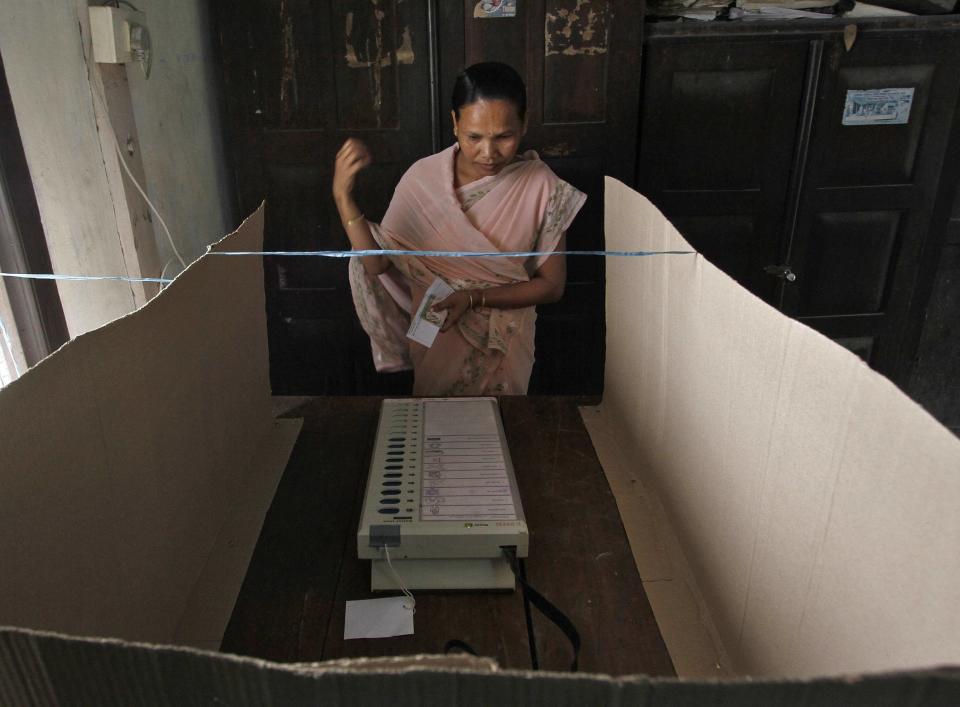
(361, 254)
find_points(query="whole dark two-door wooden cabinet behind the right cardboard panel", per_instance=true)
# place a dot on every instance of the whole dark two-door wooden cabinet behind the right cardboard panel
(743, 145)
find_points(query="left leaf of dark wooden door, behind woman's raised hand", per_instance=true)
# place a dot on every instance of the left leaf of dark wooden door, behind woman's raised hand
(301, 76)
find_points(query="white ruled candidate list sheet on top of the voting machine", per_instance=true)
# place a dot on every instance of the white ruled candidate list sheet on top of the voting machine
(464, 470)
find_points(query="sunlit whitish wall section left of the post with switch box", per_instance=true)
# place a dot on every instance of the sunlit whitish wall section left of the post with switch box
(43, 58)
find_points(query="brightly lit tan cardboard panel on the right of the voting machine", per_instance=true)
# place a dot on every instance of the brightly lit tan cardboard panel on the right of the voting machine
(815, 503)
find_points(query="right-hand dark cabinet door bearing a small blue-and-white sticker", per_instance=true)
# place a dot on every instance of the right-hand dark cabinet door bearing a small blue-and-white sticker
(869, 191)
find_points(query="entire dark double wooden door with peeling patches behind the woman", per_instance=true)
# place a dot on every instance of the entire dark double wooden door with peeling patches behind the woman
(301, 76)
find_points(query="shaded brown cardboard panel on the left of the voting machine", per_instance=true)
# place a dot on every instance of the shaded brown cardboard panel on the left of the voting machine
(121, 453)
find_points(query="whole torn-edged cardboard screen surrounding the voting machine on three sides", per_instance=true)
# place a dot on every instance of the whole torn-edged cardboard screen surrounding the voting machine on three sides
(790, 511)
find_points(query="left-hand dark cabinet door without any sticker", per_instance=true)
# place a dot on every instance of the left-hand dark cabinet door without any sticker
(716, 143)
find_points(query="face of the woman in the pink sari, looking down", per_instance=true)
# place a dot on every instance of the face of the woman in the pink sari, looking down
(489, 133)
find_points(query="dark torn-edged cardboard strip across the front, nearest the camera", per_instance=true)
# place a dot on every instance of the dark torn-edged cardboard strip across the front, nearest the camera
(44, 668)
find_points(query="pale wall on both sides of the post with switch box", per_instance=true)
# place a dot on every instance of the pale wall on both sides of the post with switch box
(42, 47)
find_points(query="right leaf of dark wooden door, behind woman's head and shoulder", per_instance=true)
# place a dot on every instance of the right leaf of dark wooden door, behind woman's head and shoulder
(580, 60)
